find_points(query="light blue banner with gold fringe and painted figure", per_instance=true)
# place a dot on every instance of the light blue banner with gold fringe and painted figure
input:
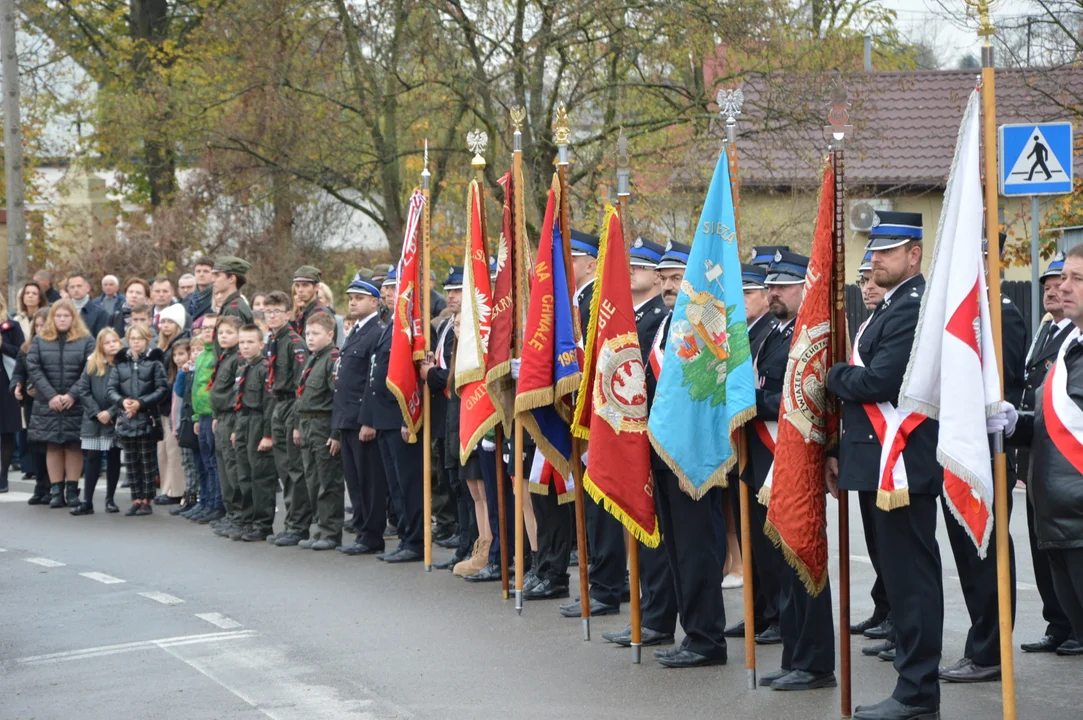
(707, 391)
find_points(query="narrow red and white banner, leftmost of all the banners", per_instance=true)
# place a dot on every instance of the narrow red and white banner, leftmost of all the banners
(408, 342)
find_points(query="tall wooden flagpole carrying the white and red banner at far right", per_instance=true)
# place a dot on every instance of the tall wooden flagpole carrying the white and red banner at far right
(987, 31)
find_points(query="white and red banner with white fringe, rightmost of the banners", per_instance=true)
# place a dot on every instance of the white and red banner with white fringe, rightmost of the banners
(952, 374)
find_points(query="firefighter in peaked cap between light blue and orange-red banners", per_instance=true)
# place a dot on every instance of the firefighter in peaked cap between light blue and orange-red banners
(805, 623)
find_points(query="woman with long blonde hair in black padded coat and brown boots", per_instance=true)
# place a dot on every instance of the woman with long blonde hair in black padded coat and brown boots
(55, 364)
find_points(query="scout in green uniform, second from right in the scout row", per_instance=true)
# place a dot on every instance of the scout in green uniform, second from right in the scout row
(286, 361)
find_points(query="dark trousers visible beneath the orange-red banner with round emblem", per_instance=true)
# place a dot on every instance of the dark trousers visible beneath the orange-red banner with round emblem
(807, 626)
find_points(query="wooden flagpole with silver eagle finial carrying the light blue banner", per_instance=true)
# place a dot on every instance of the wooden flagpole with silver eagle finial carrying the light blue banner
(729, 104)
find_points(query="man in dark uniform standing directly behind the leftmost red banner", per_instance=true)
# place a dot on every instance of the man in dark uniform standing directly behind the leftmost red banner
(382, 420)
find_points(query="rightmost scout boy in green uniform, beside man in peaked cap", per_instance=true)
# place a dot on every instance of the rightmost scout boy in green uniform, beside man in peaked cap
(320, 444)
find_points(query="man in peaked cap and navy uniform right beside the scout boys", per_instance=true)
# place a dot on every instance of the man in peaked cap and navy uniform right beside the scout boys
(361, 461)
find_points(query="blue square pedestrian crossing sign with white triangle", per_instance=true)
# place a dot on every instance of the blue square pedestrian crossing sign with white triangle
(1036, 160)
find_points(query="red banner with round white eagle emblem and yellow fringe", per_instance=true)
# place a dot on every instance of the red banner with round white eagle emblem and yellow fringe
(611, 407)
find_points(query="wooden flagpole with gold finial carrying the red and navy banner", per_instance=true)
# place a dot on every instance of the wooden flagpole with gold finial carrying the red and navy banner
(562, 136)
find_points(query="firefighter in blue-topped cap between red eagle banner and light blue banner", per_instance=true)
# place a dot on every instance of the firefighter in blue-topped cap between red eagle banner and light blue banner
(658, 593)
